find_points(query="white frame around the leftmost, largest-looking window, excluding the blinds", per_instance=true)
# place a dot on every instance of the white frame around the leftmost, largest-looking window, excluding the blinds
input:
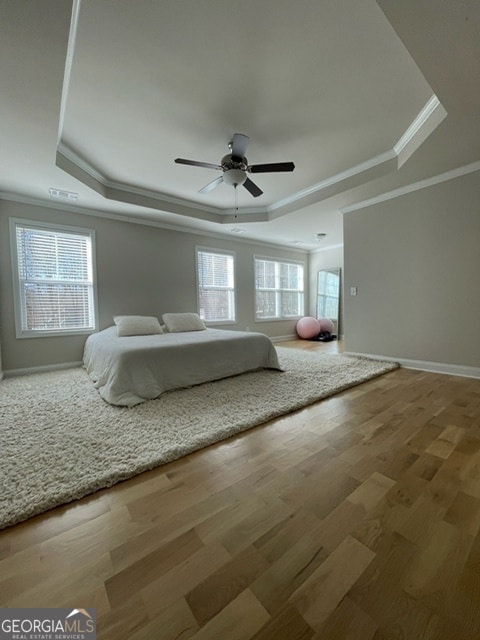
(19, 306)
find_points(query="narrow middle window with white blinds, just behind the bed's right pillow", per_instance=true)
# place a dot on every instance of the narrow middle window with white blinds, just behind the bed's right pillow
(216, 285)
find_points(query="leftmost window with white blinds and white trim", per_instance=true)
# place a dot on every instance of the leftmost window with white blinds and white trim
(54, 281)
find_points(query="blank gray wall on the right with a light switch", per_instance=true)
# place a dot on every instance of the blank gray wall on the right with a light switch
(416, 263)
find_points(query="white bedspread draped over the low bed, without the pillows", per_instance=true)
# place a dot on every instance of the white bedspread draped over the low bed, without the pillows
(130, 370)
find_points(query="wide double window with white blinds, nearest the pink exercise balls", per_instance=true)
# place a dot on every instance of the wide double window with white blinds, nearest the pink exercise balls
(278, 289)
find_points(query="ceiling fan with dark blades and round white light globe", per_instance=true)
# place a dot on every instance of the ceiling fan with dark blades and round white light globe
(235, 167)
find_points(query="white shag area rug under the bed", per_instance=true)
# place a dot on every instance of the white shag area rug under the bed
(59, 441)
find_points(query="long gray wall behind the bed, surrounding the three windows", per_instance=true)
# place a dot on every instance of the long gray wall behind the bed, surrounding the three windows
(140, 270)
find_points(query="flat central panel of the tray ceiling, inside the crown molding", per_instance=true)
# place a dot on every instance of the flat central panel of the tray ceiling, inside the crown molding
(325, 84)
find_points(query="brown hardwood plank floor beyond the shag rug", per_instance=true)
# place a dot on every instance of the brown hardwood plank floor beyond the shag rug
(357, 517)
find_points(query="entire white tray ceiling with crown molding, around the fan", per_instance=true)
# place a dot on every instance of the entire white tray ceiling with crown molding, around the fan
(101, 96)
